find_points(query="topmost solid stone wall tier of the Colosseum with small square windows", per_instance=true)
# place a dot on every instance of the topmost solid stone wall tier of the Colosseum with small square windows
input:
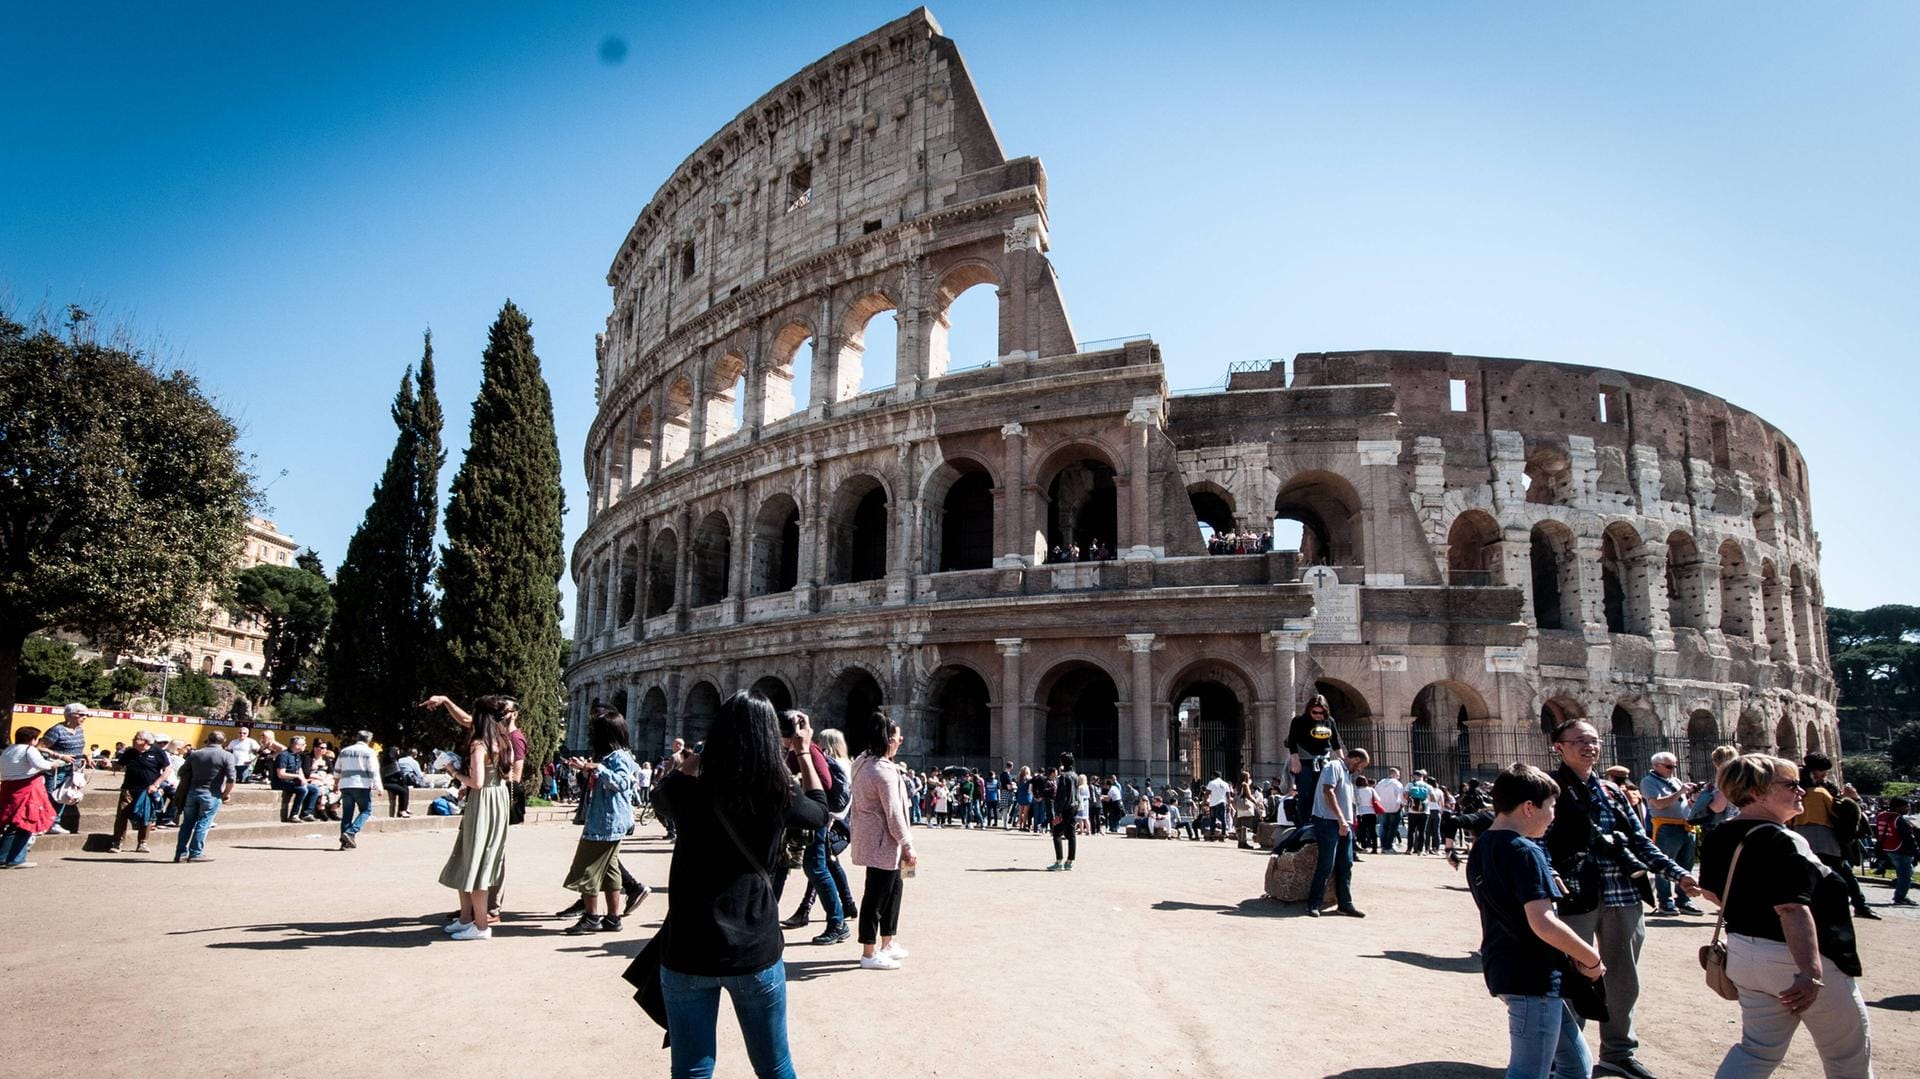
(871, 135)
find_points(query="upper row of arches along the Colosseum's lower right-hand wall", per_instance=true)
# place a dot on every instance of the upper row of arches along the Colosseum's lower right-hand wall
(1637, 583)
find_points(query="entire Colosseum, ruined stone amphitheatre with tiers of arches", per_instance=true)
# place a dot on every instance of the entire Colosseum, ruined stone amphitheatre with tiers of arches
(1458, 548)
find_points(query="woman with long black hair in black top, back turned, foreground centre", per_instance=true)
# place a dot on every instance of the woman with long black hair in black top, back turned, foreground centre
(732, 805)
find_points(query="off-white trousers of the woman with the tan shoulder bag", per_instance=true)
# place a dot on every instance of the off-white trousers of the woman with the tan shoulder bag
(1836, 1017)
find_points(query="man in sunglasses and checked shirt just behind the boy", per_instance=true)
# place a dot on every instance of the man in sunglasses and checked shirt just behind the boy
(1604, 861)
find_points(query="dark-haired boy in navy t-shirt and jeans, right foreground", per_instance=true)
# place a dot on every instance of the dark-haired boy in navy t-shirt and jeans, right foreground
(1524, 944)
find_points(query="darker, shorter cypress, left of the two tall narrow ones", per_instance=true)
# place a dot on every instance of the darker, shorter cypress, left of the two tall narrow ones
(385, 646)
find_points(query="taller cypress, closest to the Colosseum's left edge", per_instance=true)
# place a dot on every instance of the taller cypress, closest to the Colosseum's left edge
(500, 571)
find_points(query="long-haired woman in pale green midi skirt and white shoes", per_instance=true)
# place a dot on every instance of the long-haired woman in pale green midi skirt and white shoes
(479, 855)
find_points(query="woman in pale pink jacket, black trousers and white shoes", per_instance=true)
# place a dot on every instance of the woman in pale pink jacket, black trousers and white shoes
(882, 842)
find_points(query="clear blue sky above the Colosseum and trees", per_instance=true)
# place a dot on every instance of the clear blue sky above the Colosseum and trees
(285, 197)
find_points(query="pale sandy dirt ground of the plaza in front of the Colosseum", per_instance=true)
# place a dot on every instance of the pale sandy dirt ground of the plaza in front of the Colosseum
(1149, 959)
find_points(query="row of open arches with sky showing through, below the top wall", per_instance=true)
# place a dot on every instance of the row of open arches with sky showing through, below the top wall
(708, 400)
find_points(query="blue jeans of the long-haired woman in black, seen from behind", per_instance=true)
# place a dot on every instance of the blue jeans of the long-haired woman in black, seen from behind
(759, 1005)
